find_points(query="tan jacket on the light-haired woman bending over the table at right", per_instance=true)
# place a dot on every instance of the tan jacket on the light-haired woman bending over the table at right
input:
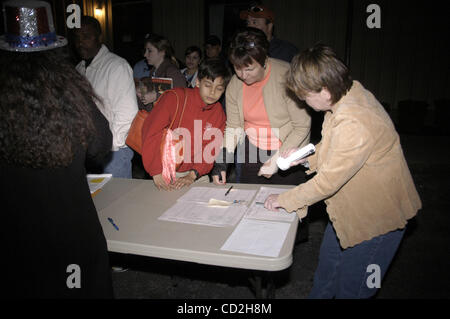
(361, 172)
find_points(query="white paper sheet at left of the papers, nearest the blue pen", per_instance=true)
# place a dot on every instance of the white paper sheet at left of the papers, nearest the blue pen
(195, 213)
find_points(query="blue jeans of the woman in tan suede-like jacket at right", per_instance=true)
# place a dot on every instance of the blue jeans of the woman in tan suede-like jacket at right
(345, 273)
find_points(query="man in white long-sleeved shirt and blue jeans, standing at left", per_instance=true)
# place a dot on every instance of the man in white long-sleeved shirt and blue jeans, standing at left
(112, 79)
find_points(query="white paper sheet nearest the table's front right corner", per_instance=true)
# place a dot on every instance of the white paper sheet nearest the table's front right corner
(257, 237)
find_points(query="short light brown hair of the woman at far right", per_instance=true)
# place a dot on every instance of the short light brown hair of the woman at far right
(316, 68)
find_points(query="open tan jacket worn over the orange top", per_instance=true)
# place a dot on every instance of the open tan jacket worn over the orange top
(285, 113)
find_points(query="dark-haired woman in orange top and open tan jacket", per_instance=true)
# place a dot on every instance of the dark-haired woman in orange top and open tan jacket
(261, 117)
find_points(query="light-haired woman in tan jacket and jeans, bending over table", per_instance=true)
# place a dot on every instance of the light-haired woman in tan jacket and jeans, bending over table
(361, 174)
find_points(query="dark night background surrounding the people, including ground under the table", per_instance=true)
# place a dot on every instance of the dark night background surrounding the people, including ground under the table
(405, 63)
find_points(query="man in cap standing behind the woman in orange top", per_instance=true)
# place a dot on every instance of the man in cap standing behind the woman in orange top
(262, 18)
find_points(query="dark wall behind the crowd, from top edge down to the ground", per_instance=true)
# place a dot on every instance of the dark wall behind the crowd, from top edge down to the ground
(404, 63)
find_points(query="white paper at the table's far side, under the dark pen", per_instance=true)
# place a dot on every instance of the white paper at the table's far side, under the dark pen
(204, 194)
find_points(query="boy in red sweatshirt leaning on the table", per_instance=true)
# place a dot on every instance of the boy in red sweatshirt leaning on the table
(202, 125)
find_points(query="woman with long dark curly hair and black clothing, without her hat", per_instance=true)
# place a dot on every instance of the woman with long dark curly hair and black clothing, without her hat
(53, 244)
